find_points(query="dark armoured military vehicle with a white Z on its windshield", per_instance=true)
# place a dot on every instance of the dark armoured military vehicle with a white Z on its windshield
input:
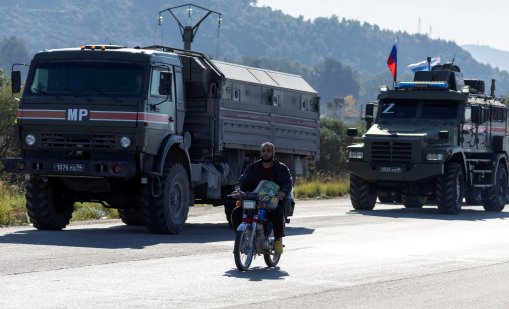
(437, 138)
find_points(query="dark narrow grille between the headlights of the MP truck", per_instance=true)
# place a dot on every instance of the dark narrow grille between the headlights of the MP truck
(66, 141)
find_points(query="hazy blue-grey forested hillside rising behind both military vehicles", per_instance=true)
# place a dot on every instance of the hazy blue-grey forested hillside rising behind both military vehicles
(247, 31)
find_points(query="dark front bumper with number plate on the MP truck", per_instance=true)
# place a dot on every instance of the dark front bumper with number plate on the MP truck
(76, 168)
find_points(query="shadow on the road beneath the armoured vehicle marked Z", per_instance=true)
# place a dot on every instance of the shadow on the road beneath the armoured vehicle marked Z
(467, 213)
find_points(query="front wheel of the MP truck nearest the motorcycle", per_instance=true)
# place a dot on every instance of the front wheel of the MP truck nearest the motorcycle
(166, 212)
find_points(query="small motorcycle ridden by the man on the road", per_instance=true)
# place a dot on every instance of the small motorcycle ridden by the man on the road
(254, 235)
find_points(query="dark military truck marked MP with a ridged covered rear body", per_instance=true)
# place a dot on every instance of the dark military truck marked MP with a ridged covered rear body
(150, 131)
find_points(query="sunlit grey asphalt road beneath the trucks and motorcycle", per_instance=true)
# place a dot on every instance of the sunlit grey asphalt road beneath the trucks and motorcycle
(334, 258)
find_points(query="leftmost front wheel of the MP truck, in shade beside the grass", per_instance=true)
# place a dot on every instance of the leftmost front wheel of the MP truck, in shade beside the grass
(48, 203)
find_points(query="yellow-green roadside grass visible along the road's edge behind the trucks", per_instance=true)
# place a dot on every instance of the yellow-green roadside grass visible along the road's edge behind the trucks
(13, 211)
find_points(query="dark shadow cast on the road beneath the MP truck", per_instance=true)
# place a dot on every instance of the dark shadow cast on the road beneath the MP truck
(123, 236)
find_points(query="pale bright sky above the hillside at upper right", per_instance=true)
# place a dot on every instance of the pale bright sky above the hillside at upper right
(463, 21)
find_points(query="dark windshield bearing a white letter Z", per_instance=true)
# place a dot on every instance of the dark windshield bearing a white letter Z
(424, 109)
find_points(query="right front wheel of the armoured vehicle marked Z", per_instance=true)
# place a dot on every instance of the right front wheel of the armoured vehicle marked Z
(450, 189)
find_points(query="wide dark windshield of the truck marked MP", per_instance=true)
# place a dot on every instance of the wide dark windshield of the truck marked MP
(87, 79)
